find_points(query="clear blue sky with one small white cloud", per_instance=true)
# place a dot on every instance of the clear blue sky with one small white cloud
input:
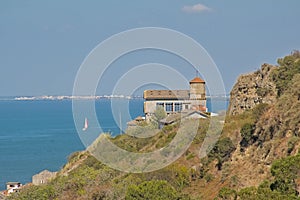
(44, 43)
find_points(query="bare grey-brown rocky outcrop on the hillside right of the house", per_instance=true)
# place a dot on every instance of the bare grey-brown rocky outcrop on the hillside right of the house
(252, 89)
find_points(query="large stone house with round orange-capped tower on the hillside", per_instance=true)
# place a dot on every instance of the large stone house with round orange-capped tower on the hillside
(174, 101)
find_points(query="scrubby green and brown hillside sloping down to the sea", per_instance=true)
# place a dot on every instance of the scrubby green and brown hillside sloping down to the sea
(256, 156)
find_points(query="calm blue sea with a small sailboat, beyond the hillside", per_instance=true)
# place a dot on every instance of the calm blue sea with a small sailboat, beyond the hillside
(38, 135)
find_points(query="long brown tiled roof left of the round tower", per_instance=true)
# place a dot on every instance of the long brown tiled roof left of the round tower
(166, 94)
